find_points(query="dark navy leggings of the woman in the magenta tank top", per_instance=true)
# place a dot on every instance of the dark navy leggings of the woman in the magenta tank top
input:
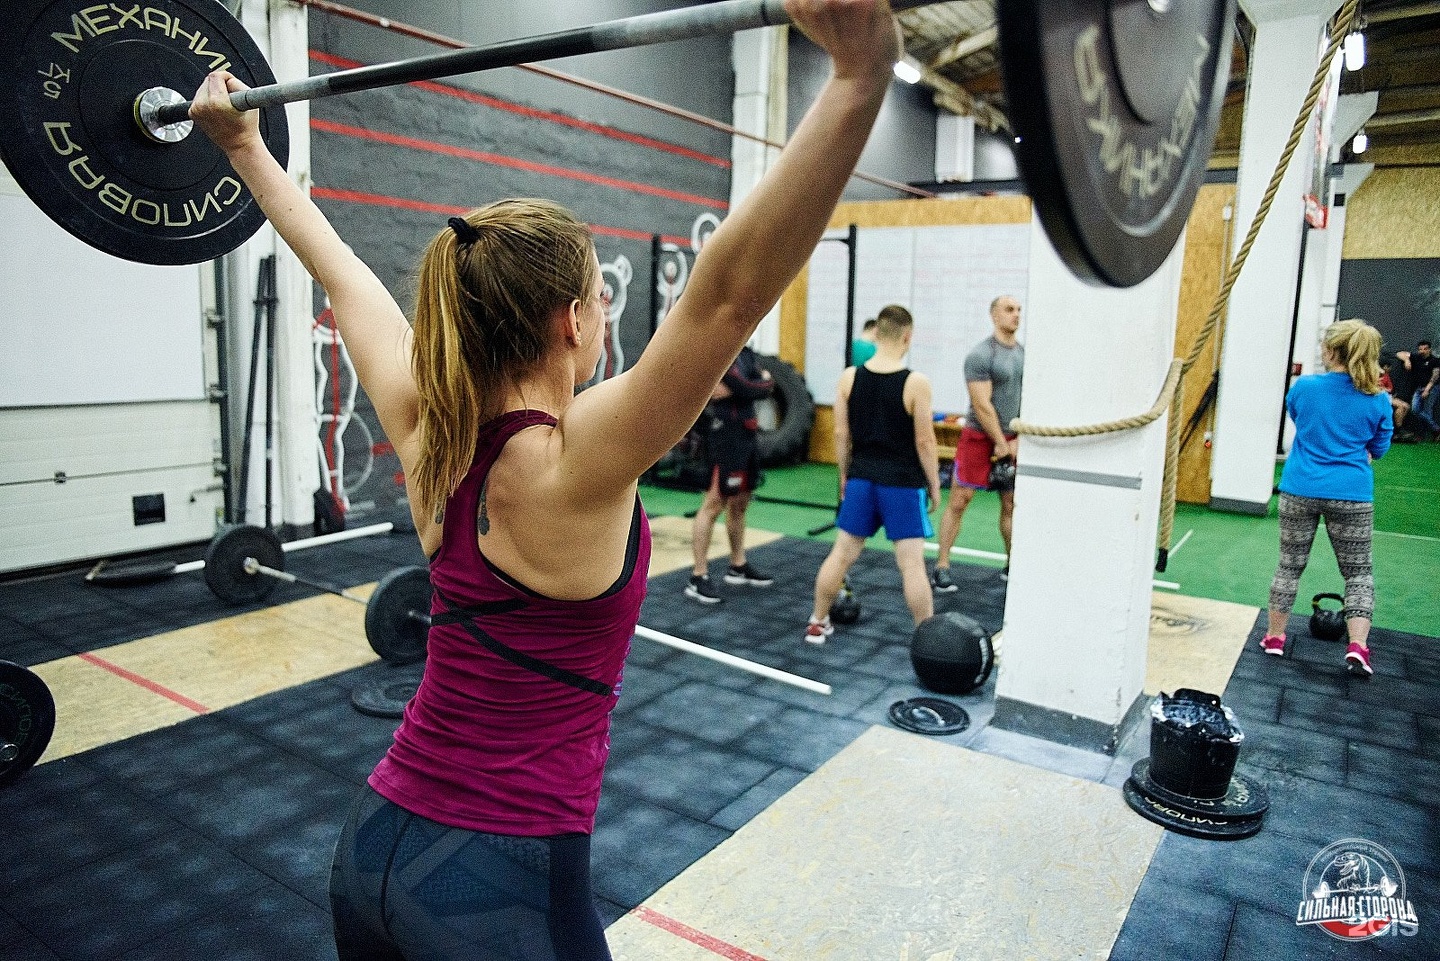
(405, 888)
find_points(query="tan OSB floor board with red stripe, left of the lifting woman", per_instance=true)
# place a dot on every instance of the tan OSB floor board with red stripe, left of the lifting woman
(155, 682)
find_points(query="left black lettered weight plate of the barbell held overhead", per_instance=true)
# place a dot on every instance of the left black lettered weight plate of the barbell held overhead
(71, 73)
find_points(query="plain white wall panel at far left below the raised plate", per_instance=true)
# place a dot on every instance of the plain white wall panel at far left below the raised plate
(84, 328)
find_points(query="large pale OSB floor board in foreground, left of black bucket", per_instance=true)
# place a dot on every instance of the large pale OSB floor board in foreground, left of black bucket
(905, 848)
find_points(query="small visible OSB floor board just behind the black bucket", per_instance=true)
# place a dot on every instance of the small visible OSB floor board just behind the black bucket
(1194, 643)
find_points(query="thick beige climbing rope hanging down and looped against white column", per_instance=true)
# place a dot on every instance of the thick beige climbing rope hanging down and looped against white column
(1171, 395)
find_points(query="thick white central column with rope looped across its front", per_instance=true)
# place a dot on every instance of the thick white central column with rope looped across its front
(1086, 509)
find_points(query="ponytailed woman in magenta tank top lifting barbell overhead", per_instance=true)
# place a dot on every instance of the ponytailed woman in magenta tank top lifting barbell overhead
(500, 754)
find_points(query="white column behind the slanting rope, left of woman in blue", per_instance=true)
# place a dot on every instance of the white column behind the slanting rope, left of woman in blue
(1256, 347)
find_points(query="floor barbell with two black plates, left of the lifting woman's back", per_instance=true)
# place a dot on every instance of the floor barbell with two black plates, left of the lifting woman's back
(246, 564)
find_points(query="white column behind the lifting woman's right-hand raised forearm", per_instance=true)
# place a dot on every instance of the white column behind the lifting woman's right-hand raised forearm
(761, 74)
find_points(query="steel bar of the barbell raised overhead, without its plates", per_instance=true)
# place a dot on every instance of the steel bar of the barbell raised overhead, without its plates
(726, 17)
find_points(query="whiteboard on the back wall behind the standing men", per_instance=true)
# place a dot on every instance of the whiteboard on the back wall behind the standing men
(945, 276)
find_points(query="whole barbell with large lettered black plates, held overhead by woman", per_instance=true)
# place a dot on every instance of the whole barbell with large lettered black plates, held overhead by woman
(1114, 109)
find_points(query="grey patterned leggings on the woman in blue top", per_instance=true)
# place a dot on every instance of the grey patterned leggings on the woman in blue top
(1350, 525)
